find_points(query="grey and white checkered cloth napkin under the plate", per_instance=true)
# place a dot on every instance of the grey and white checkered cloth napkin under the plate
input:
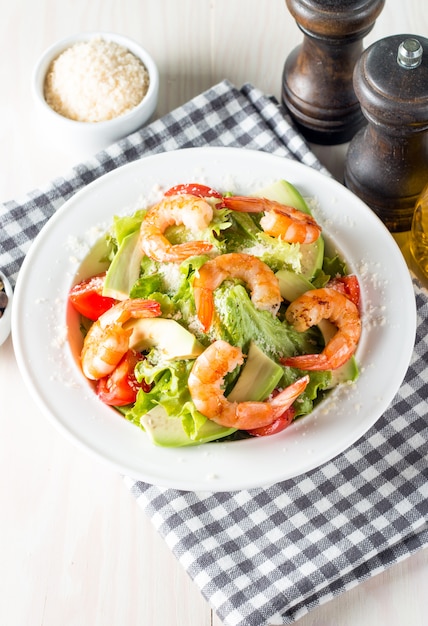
(268, 556)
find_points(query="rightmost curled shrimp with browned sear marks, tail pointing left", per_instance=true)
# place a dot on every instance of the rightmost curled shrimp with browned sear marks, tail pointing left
(308, 310)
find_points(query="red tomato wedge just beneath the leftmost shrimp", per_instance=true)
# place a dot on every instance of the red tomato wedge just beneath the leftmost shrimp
(121, 386)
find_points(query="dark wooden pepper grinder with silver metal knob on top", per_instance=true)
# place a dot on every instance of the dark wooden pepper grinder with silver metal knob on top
(387, 161)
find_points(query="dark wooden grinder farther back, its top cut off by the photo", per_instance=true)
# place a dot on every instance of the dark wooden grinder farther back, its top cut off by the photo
(317, 78)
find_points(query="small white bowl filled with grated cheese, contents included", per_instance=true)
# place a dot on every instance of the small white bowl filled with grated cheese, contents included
(93, 89)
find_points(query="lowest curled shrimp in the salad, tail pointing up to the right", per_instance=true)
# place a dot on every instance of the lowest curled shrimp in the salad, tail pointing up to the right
(205, 385)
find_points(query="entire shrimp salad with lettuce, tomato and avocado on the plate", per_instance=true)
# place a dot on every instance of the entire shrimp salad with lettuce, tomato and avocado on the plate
(220, 317)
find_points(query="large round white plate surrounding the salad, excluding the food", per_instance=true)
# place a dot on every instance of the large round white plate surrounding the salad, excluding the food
(350, 227)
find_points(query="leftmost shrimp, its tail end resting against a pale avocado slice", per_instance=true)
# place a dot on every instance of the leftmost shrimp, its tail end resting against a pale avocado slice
(107, 340)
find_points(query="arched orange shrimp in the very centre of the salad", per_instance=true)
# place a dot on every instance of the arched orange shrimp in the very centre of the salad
(263, 283)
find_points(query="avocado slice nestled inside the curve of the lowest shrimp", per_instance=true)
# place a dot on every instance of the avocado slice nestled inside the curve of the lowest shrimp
(258, 378)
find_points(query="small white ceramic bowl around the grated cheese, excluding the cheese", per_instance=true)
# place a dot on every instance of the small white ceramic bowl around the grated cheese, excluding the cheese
(85, 138)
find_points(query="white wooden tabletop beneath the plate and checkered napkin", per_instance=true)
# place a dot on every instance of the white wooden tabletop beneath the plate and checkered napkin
(75, 548)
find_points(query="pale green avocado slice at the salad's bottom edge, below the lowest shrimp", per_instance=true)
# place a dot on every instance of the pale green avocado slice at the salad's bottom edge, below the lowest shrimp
(168, 432)
